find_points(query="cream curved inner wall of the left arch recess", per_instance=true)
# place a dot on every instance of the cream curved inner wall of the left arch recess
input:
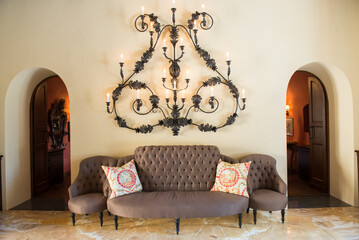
(17, 170)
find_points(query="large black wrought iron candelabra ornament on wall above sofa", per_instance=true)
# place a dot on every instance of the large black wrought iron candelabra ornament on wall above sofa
(175, 119)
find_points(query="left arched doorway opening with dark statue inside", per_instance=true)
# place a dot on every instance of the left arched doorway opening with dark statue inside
(50, 143)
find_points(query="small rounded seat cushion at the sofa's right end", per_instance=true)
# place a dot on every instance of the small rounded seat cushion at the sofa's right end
(267, 200)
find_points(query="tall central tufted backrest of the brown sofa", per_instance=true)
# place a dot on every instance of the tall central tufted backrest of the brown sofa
(177, 168)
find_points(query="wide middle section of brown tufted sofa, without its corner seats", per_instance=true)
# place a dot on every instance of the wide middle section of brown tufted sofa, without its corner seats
(176, 183)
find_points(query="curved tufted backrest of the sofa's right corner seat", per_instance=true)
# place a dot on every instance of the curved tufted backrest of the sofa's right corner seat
(263, 174)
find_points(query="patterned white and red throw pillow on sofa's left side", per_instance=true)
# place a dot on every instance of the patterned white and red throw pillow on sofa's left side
(123, 180)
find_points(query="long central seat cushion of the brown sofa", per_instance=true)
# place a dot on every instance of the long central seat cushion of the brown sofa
(177, 204)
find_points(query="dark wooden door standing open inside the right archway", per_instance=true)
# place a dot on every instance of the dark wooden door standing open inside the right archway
(318, 135)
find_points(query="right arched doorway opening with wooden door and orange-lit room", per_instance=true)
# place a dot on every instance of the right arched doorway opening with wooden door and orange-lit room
(307, 135)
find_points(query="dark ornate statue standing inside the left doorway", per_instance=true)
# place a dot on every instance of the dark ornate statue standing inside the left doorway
(57, 120)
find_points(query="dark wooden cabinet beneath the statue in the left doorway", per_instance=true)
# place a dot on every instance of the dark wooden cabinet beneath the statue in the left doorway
(56, 166)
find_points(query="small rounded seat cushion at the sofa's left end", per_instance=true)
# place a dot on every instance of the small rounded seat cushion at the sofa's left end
(87, 203)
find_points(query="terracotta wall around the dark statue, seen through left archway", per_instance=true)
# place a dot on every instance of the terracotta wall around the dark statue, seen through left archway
(57, 90)
